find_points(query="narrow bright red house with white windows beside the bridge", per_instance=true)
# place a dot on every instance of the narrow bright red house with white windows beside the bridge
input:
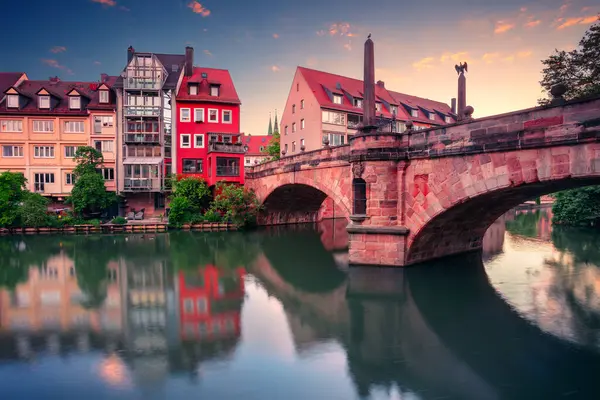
(208, 143)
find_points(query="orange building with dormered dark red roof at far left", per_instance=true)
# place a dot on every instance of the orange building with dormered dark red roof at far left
(42, 123)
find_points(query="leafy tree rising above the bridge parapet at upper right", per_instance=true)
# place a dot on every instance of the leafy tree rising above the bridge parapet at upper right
(578, 69)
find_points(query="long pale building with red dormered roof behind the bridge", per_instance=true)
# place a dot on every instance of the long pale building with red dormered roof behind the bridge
(323, 107)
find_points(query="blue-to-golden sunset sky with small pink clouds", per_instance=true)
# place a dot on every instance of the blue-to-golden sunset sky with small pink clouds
(261, 42)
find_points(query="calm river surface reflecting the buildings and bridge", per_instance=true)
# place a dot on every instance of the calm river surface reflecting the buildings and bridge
(278, 314)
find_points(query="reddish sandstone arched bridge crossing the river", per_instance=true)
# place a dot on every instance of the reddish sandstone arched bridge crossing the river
(420, 195)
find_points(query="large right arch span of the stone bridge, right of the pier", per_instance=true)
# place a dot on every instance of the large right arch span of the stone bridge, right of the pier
(451, 216)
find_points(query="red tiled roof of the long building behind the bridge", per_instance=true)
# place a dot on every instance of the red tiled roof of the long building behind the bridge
(324, 85)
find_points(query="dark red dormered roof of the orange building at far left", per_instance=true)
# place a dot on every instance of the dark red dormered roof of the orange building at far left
(59, 90)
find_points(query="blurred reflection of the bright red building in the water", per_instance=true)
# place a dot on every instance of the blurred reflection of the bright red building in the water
(210, 302)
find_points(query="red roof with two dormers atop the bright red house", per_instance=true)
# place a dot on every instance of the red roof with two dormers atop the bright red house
(204, 78)
